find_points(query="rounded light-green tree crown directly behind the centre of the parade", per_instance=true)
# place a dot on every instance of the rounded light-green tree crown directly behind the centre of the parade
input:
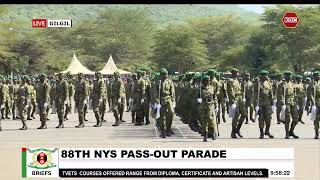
(179, 48)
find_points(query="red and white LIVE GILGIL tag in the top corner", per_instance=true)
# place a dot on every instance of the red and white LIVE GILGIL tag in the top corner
(44, 23)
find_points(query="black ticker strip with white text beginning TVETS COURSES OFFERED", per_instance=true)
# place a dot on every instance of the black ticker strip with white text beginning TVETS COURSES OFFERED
(227, 173)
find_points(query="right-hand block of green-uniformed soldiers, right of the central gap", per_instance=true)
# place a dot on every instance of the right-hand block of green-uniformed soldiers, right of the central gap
(203, 99)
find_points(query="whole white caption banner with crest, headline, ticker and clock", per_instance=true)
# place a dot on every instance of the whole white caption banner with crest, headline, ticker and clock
(158, 162)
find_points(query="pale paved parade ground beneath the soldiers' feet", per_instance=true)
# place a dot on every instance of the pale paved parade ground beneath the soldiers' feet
(307, 149)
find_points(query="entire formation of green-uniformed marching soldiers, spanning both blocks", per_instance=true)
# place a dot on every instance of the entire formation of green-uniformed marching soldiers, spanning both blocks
(200, 99)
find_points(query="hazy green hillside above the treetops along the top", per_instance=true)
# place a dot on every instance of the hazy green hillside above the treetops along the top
(162, 14)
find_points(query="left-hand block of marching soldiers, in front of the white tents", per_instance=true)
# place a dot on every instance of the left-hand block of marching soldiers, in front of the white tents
(23, 97)
